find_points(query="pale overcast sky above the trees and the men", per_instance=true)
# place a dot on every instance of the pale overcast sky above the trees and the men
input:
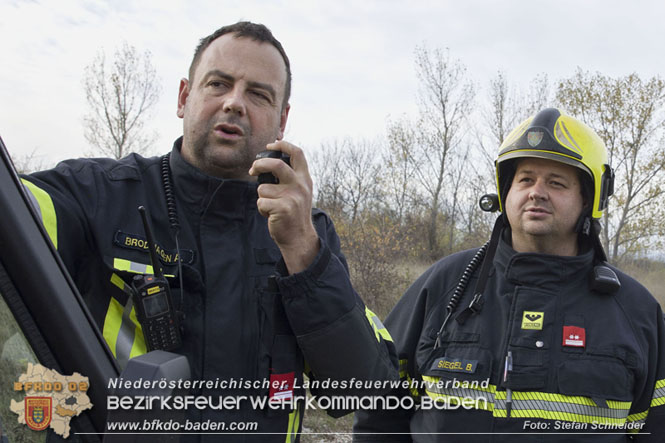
(352, 61)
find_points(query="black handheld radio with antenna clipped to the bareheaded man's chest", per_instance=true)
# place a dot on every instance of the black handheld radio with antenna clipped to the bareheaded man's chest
(153, 302)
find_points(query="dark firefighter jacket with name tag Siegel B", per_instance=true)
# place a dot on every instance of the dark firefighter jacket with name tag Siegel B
(582, 361)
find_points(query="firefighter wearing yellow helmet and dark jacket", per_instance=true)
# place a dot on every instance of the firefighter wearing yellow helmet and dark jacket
(512, 338)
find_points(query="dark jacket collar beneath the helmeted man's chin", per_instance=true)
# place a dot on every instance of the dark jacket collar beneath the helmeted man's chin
(541, 270)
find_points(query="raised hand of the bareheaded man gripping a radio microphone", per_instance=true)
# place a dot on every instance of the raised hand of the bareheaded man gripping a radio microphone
(287, 203)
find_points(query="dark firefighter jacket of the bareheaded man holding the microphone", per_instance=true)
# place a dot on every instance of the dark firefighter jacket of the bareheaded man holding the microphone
(234, 324)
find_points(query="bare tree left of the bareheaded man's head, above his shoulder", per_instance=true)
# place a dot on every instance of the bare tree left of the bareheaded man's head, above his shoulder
(120, 97)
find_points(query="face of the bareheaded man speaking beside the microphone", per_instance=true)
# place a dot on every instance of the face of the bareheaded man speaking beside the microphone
(233, 106)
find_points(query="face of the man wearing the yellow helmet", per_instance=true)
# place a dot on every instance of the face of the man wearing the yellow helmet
(543, 205)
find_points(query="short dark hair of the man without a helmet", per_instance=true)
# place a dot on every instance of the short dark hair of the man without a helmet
(256, 32)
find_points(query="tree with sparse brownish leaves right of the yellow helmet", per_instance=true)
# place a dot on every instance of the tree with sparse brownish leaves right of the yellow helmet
(629, 115)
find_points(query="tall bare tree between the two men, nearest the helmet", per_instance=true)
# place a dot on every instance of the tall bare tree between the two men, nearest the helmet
(446, 100)
